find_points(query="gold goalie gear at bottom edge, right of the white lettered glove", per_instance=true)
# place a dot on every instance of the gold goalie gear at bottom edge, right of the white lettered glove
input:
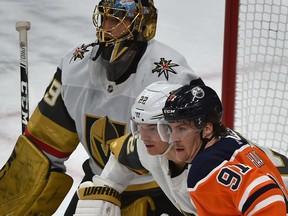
(139, 207)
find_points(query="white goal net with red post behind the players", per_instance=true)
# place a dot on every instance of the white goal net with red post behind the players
(255, 71)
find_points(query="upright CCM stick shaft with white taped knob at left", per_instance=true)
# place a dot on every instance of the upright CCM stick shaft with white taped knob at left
(23, 27)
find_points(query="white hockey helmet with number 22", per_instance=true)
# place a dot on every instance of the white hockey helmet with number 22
(148, 105)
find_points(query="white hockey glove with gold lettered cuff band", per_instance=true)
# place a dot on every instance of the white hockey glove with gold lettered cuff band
(100, 197)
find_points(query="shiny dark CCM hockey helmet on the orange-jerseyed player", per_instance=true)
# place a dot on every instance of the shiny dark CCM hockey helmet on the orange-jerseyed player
(192, 103)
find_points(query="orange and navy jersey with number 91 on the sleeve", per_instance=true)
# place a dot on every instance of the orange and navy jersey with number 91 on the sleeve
(233, 177)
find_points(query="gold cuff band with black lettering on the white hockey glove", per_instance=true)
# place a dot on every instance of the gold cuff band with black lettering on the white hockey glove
(100, 193)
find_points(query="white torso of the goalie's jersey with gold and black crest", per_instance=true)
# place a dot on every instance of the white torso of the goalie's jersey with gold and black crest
(90, 98)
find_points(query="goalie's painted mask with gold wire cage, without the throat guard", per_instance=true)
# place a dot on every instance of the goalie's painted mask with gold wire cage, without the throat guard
(136, 18)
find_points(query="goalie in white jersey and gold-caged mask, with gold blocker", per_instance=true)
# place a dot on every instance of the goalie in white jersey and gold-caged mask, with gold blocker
(88, 101)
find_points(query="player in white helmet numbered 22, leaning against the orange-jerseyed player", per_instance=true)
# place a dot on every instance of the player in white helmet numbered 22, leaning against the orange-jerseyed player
(147, 153)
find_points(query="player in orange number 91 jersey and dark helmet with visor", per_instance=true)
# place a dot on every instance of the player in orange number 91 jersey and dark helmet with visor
(227, 174)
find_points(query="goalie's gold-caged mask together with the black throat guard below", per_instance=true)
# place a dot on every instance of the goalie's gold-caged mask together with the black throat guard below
(123, 28)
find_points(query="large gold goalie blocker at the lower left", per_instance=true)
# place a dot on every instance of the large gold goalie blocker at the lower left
(27, 185)
